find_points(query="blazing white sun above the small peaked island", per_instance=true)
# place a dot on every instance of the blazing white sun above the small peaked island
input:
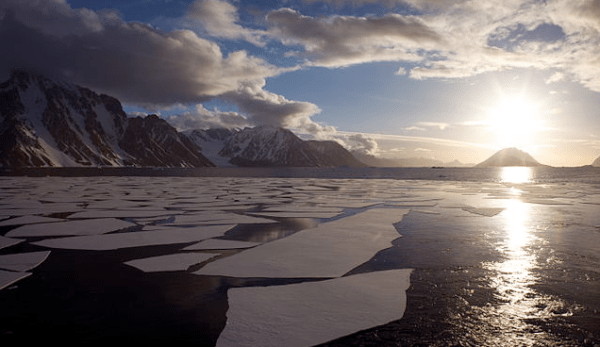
(515, 121)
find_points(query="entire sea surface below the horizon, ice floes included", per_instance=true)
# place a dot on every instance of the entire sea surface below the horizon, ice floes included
(451, 258)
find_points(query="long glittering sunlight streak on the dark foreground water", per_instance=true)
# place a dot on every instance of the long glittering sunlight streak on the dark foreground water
(514, 278)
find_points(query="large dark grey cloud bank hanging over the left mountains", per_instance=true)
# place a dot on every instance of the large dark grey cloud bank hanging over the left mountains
(145, 66)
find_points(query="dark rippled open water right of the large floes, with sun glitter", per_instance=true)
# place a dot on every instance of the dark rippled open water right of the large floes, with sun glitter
(474, 286)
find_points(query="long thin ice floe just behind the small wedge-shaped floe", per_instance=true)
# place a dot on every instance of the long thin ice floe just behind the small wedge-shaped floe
(165, 236)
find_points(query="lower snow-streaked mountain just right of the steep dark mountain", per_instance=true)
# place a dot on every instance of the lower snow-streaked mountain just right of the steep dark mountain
(269, 146)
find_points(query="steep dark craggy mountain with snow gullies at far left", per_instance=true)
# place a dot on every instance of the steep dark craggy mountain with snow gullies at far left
(51, 123)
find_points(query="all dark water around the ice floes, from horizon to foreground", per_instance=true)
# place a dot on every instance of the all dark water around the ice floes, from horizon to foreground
(529, 276)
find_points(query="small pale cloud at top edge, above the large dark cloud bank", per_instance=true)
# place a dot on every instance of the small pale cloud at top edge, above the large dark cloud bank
(219, 19)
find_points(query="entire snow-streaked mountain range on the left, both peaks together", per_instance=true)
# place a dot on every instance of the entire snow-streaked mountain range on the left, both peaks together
(44, 122)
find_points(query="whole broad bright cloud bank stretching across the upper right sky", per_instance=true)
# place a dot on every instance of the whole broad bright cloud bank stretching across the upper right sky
(452, 39)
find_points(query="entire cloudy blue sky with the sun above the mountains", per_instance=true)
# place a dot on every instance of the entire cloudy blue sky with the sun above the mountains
(439, 79)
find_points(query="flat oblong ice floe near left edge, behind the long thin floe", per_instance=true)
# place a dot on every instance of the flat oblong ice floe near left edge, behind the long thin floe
(80, 227)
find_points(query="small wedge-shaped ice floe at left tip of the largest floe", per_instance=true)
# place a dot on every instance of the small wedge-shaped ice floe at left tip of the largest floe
(170, 262)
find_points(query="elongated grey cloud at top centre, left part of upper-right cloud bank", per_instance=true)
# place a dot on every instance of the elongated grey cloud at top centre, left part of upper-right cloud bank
(339, 41)
